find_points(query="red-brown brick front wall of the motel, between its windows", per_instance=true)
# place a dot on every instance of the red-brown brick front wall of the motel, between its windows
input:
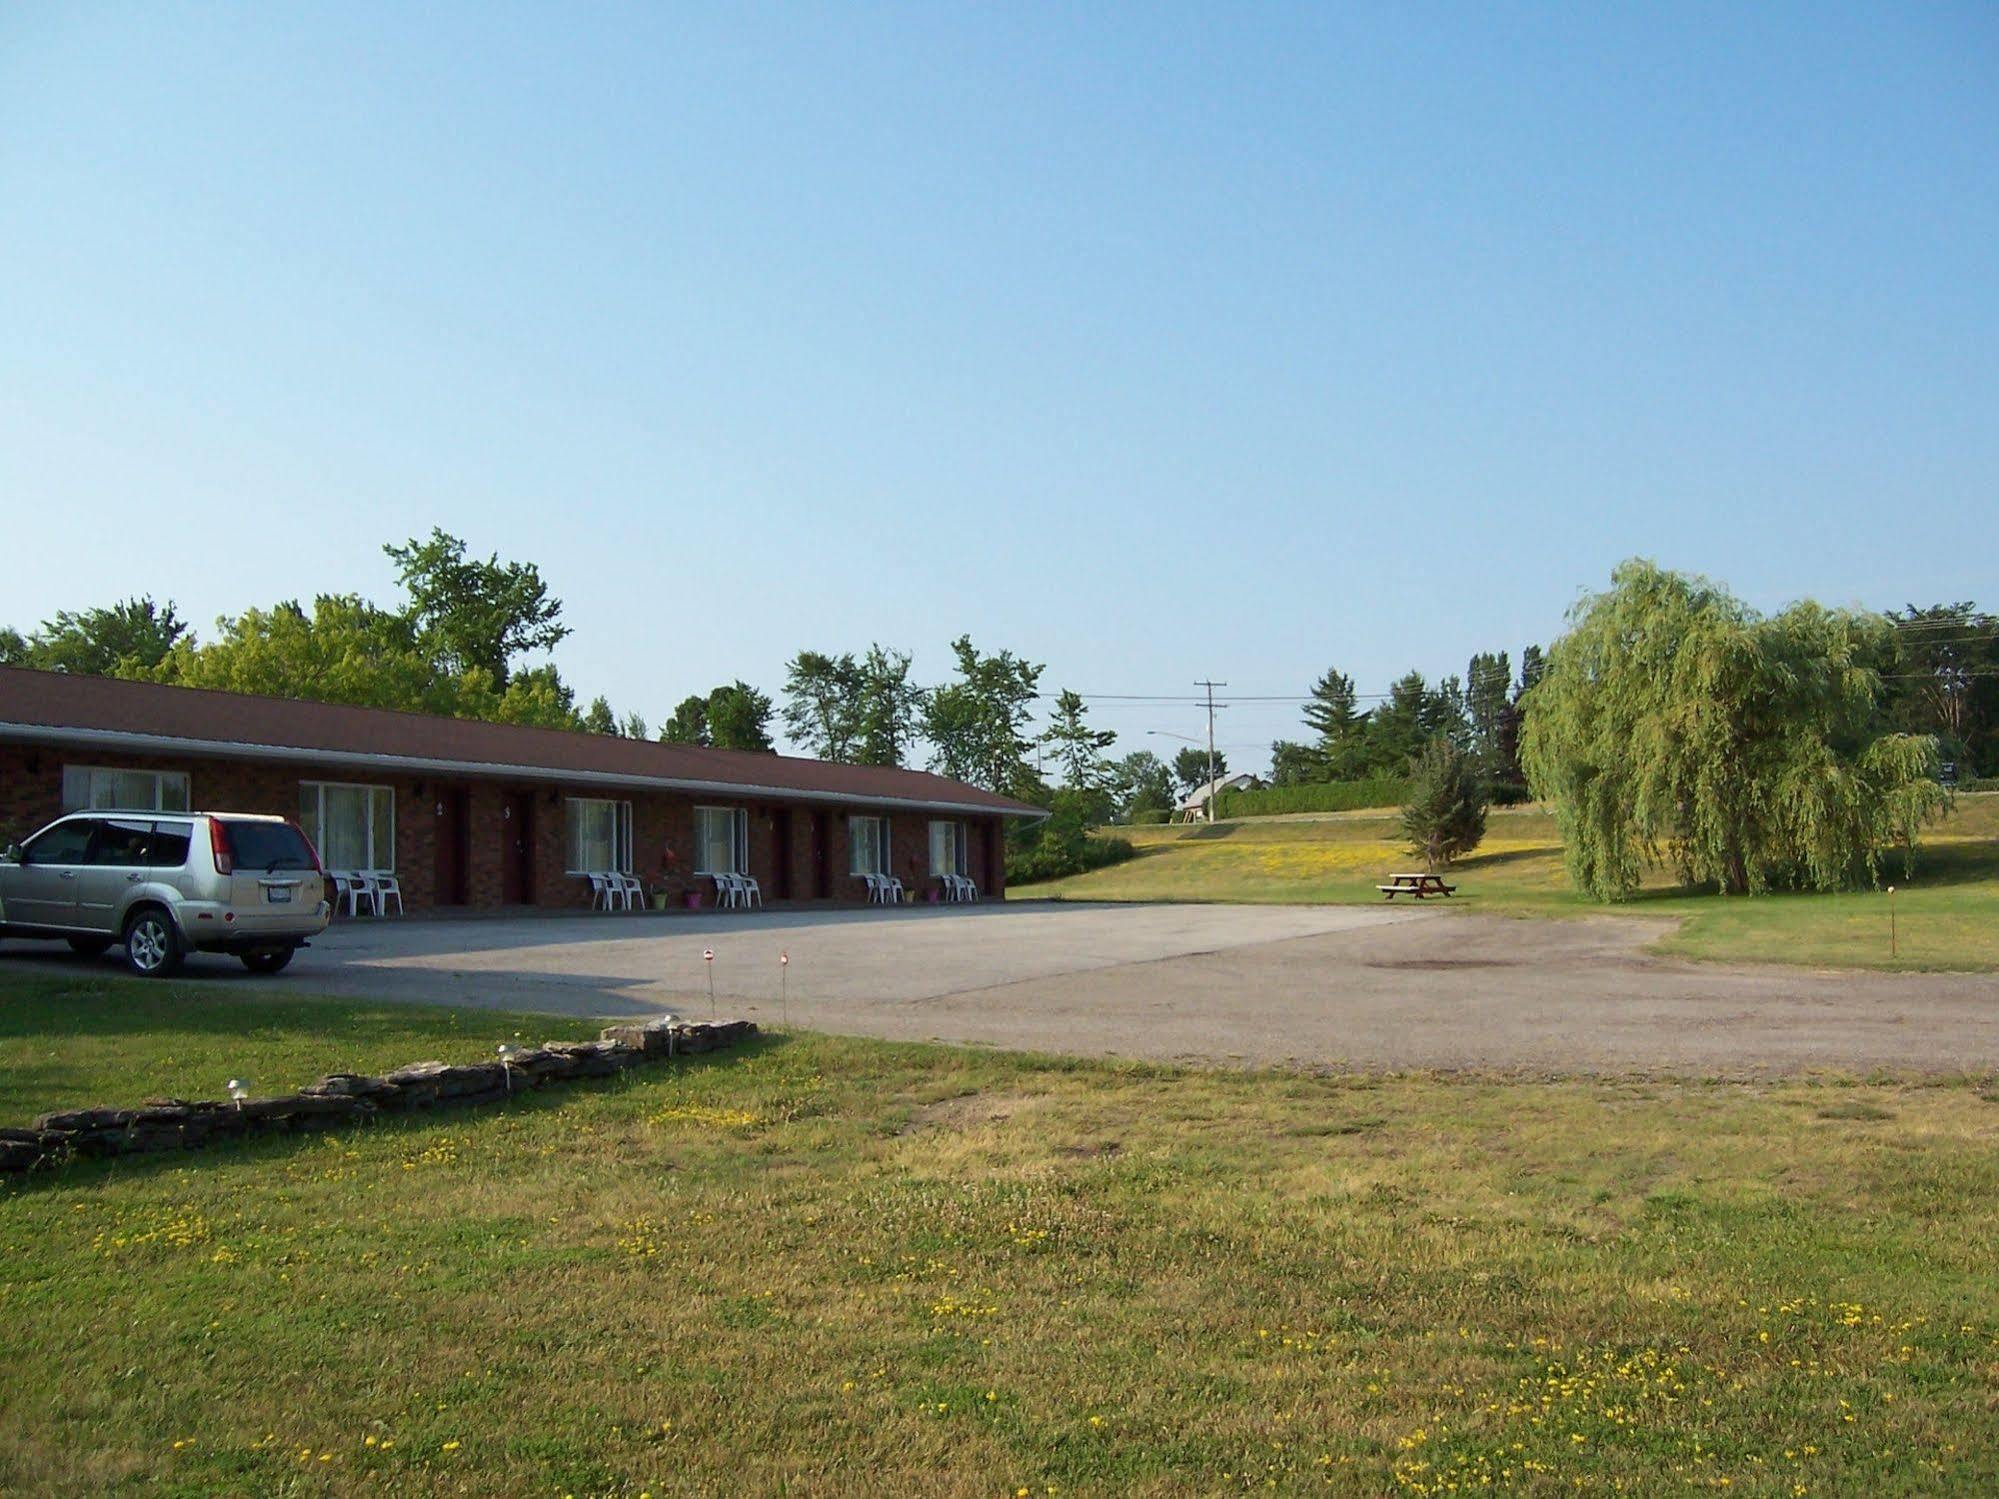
(663, 828)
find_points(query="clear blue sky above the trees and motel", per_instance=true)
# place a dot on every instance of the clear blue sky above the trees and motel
(1150, 343)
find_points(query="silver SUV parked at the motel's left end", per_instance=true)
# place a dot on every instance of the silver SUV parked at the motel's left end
(167, 884)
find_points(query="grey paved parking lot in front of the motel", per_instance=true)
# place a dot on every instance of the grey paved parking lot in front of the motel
(1216, 984)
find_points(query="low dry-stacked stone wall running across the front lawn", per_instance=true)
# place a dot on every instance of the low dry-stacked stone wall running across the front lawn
(353, 1098)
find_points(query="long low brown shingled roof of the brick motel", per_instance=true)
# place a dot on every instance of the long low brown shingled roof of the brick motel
(55, 707)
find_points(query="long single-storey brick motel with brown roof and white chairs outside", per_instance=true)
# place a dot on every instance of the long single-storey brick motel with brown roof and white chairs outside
(489, 816)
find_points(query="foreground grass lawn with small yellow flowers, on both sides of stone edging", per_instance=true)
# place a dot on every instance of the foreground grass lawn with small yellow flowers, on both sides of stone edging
(831, 1268)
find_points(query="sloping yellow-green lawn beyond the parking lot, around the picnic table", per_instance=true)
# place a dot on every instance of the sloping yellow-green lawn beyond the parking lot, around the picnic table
(1946, 916)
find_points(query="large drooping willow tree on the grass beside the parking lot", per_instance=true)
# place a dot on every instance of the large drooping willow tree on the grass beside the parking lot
(1676, 727)
